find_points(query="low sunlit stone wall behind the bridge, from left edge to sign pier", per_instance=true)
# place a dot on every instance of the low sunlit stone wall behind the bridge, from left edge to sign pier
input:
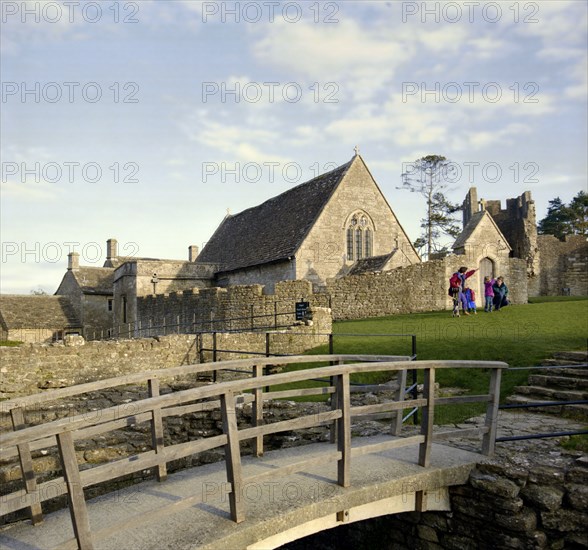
(31, 368)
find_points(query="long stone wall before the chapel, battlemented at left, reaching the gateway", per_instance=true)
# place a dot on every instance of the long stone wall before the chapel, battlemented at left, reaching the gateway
(414, 288)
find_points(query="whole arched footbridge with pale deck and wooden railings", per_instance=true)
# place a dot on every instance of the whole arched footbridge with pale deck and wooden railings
(258, 501)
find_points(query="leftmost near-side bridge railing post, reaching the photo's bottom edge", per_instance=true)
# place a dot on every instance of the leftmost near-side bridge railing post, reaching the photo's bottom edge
(75, 491)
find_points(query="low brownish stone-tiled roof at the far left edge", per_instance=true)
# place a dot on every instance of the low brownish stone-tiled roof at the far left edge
(51, 312)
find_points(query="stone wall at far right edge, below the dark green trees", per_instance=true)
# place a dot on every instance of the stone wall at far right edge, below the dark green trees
(563, 265)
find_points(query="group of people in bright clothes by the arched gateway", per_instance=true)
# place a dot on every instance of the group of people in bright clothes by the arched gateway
(495, 293)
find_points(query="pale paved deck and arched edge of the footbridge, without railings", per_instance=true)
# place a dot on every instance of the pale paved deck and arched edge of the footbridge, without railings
(306, 501)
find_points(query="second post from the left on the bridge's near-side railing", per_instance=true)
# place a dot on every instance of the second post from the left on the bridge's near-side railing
(232, 455)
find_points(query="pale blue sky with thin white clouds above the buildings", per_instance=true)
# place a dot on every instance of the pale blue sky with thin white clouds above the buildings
(148, 121)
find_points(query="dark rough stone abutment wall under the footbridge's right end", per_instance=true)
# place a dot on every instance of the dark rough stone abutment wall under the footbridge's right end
(505, 505)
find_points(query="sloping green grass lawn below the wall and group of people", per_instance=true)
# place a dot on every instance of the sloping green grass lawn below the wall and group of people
(521, 336)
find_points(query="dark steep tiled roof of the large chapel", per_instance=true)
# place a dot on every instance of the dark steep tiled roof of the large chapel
(274, 230)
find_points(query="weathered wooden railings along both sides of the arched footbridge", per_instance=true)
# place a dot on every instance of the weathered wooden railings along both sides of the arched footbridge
(224, 396)
